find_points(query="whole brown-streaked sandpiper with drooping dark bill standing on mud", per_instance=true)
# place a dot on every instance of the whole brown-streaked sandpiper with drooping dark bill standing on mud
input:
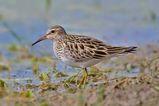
(79, 50)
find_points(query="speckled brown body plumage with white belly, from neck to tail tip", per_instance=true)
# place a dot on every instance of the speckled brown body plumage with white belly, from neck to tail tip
(83, 51)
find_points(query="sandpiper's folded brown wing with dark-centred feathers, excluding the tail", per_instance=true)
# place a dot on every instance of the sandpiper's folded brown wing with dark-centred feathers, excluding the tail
(82, 48)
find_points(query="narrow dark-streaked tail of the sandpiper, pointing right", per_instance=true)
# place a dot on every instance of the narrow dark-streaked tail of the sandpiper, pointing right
(121, 50)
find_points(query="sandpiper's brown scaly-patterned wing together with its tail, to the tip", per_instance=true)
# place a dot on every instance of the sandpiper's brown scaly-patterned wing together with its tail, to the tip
(82, 48)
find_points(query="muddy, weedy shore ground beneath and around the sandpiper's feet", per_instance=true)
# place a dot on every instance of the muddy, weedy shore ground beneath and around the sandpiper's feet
(57, 87)
